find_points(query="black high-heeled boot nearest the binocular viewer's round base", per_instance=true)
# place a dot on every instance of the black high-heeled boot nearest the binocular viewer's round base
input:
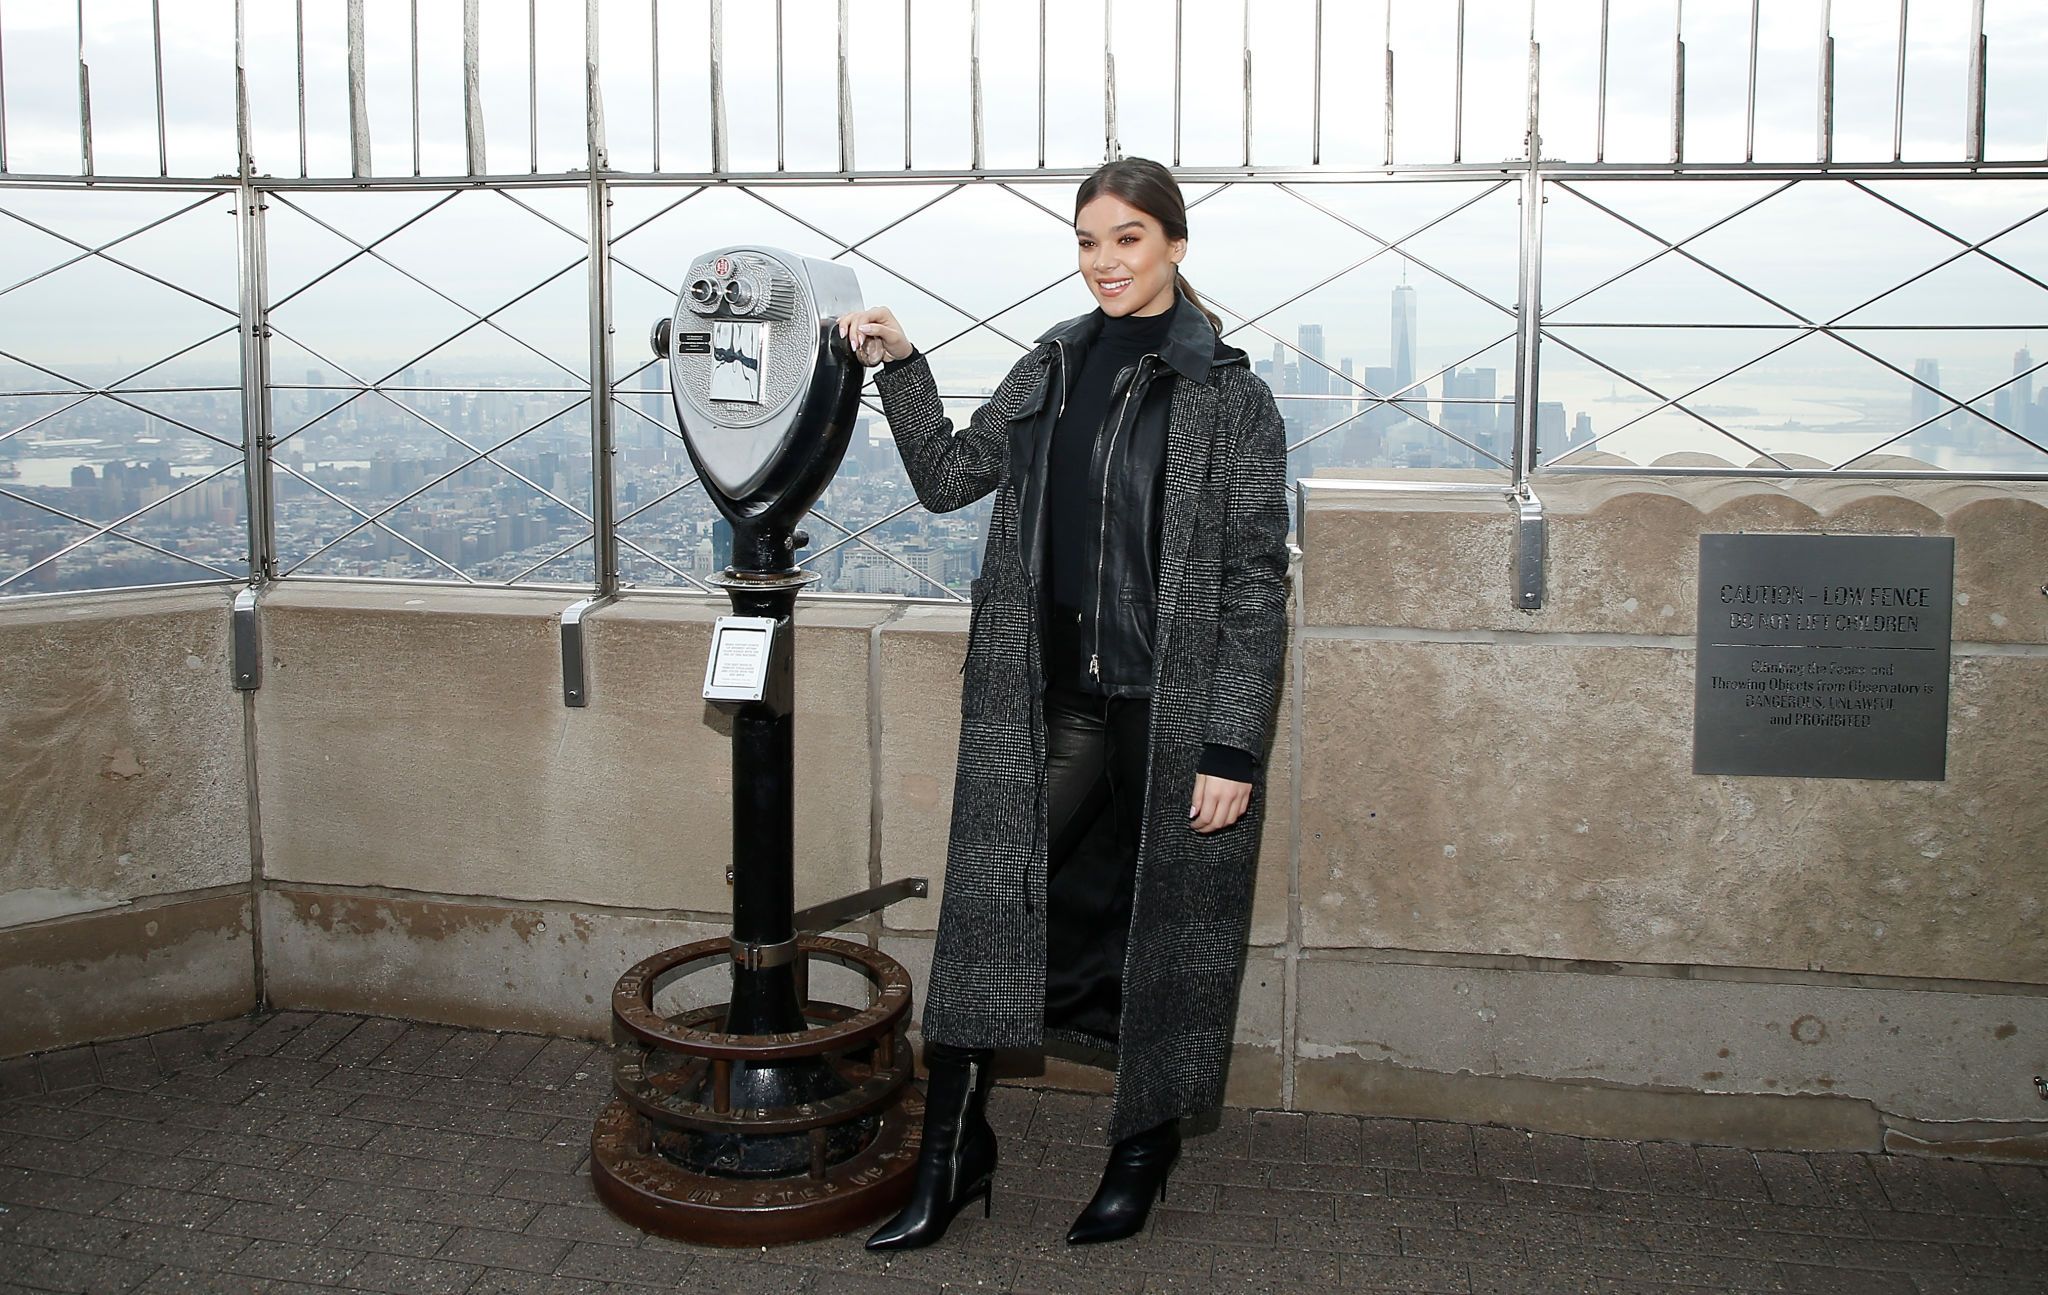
(957, 1159)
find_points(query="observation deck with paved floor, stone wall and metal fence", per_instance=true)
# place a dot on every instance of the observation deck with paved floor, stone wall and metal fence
(323, 403)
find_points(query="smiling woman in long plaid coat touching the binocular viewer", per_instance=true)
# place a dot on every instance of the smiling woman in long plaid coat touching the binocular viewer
(1123, 665)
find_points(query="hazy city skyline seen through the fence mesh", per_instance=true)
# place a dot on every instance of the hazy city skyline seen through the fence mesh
(521, 513)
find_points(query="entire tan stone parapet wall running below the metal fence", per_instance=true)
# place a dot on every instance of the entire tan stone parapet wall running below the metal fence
(1492, 884)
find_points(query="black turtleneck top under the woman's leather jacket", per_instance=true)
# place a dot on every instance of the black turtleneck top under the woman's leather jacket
(1074, 495)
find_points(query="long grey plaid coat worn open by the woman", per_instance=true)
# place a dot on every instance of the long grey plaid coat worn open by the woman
(1220, 651)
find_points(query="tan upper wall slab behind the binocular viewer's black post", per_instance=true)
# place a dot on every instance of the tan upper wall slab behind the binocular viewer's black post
(419, 741)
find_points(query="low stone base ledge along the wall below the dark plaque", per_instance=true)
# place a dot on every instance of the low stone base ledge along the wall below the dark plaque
(1914, 1054)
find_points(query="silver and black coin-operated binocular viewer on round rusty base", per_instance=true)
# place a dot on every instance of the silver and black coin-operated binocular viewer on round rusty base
(767, 1118)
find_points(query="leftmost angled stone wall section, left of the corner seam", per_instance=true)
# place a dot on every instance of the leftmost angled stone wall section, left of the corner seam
(124, 819)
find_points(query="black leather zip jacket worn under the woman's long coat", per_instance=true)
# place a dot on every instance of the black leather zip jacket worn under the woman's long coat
(1113, 630)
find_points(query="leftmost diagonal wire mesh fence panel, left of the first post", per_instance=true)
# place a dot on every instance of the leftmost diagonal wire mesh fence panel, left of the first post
(118, 472)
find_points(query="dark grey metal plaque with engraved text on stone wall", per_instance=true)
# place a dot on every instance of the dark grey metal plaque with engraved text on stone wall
(1824, 657)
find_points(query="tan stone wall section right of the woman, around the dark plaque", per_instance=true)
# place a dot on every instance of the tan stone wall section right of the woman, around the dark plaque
(1508, 800)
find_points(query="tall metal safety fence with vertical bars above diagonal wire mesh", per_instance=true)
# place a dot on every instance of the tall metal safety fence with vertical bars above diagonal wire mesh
(357, 288)
